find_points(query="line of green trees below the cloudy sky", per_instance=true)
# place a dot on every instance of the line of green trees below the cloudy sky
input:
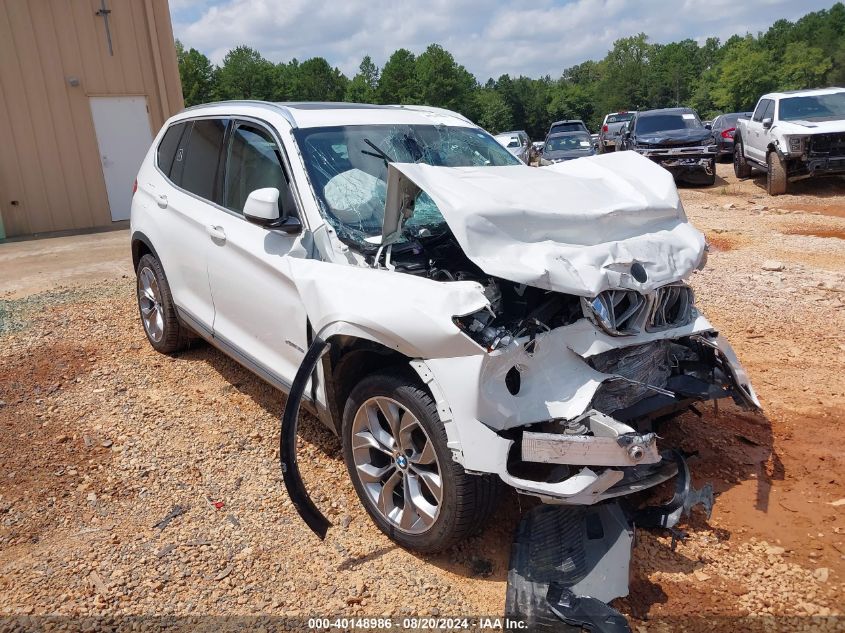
(712, 77)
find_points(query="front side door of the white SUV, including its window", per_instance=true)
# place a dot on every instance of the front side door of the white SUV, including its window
(257, 309)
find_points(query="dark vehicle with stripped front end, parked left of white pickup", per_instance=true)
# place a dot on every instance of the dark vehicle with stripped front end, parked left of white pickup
(675, 139)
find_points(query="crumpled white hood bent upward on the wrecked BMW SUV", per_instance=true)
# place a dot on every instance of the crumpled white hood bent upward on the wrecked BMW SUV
(575, 227)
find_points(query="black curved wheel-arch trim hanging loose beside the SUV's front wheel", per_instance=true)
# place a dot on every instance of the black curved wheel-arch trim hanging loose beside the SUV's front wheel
(287, 443)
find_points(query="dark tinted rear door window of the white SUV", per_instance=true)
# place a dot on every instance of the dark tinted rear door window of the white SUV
(202, 158)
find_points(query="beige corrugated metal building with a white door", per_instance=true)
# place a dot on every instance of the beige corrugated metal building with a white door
(84, 87)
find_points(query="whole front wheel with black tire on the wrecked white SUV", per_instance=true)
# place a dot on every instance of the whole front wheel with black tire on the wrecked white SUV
(412, 456)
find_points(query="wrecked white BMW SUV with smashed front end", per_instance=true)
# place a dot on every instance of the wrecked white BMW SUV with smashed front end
(482, 321)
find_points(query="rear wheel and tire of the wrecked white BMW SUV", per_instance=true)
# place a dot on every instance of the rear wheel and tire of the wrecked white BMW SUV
(156, 308)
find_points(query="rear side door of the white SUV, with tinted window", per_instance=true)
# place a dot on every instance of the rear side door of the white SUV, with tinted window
(183, 188)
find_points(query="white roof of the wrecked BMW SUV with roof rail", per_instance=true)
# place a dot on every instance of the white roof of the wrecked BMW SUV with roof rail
(321, 114)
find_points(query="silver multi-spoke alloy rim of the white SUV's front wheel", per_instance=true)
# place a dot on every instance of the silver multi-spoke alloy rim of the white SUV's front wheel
(396, 463)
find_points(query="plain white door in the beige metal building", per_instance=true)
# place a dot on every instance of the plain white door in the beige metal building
(124, 137)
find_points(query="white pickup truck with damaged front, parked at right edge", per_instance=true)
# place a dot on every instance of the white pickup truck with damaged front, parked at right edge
(793, 135)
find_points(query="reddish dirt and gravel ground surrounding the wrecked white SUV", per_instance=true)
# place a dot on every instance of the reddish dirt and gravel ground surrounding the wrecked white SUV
(101, 439)
